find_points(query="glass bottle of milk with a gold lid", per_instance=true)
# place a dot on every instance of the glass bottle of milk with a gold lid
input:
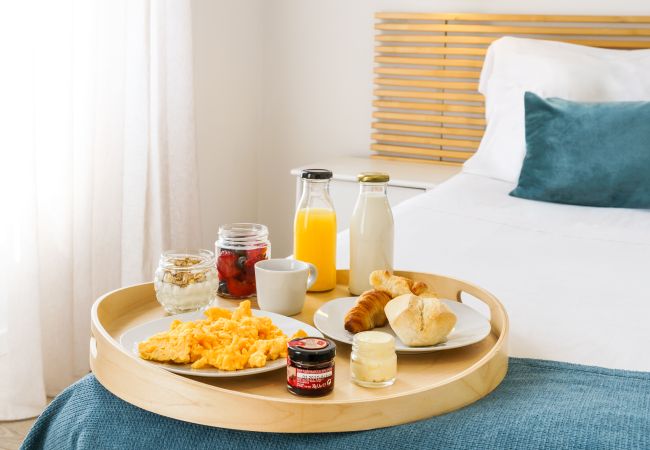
(371, 231)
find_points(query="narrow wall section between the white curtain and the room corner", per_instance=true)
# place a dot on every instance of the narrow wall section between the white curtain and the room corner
(228, 44)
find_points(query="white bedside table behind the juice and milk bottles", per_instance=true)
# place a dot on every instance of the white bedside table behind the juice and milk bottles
(407, 180)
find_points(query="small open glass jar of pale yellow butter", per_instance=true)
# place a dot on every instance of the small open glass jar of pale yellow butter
(373, 362)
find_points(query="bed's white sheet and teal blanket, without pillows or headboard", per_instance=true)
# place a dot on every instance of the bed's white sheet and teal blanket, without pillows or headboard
(596, 316)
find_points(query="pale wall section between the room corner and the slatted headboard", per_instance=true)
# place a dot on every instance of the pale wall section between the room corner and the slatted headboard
(317, 98)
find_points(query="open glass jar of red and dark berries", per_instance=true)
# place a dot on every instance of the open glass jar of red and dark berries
(238, 247)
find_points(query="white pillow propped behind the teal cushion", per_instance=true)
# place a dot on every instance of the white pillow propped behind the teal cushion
(549, 69)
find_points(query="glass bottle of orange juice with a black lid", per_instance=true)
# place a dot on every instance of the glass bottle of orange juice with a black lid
(314, 238)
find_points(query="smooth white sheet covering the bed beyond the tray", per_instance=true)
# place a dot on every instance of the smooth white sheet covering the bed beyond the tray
(574, 280)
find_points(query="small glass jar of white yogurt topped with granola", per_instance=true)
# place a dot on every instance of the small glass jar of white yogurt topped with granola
(185, 280)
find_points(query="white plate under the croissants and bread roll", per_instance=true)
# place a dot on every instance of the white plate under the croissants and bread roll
(471, 327)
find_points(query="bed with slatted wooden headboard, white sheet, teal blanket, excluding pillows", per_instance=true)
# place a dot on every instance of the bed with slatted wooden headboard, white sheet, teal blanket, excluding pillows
(572, 278)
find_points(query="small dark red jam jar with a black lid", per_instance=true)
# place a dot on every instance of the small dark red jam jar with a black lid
(310, 366)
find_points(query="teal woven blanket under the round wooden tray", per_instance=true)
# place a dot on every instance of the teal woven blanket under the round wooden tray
(540, 404)
